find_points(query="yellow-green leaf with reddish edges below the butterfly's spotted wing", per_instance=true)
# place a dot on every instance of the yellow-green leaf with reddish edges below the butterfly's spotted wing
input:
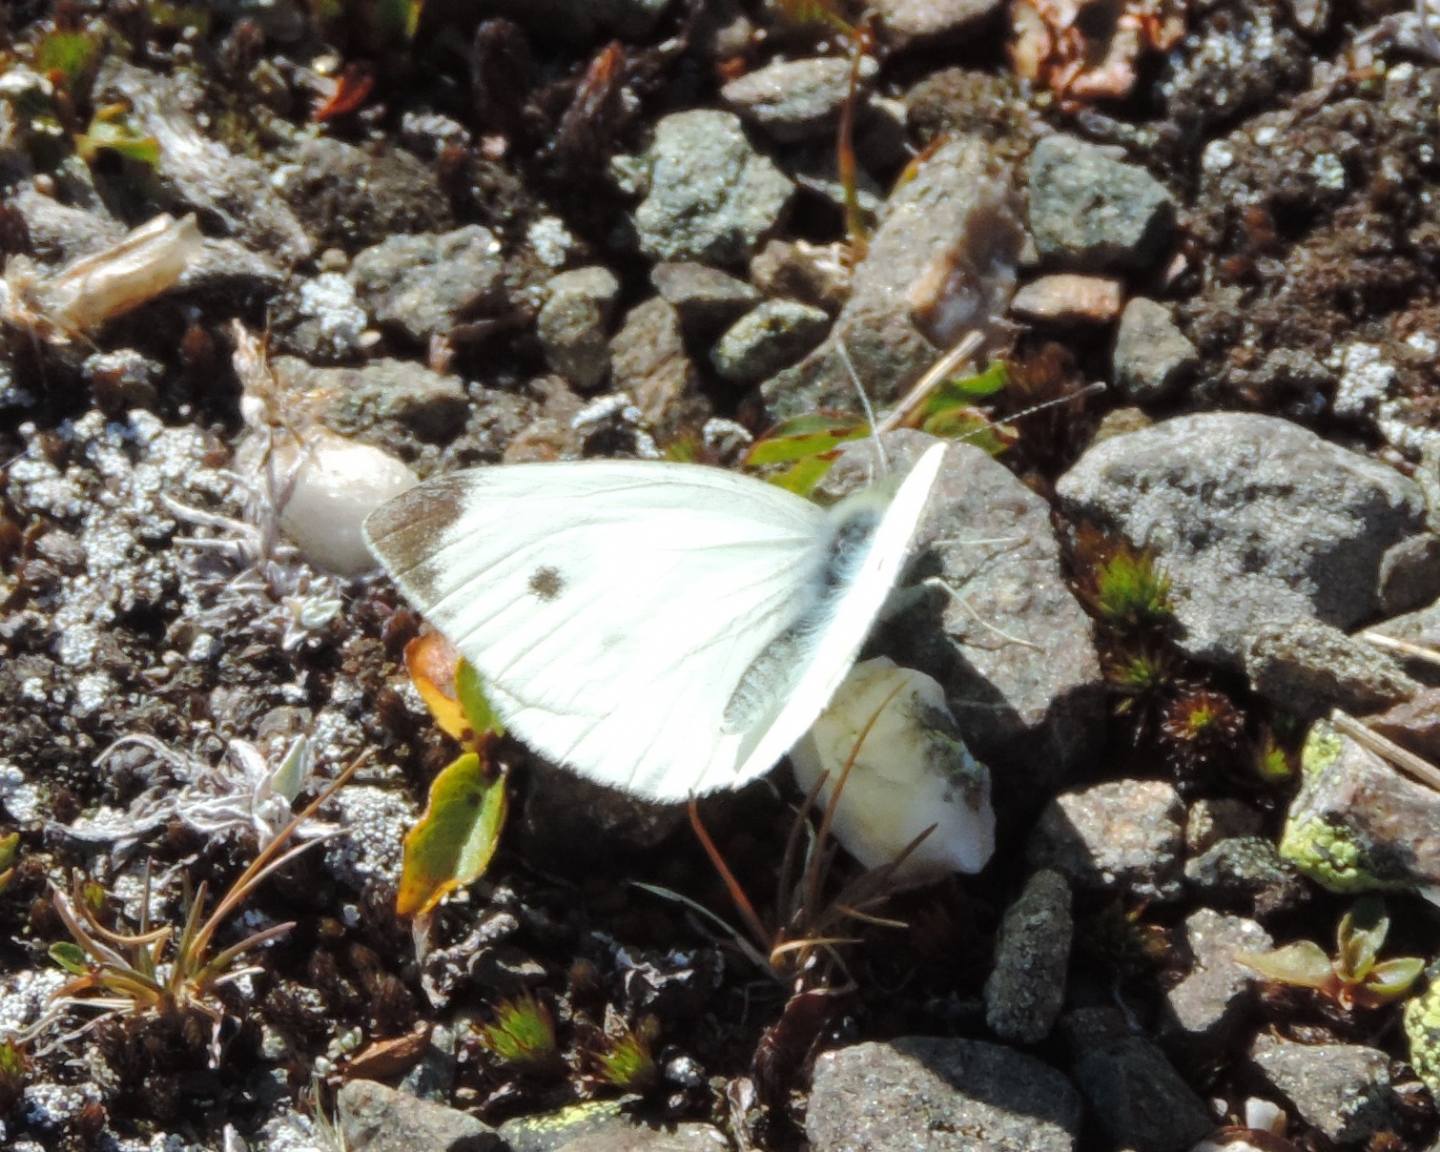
(456, 840)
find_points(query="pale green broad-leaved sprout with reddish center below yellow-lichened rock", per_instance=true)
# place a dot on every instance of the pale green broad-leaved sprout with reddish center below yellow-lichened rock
(1356, 977)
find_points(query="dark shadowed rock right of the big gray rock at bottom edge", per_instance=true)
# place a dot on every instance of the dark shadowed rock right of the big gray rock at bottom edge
(1134, 1092)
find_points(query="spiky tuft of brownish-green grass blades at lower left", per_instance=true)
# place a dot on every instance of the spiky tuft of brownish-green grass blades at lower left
(155, 973)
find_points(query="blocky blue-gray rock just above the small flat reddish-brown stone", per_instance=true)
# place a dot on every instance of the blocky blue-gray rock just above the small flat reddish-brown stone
(1094, 211)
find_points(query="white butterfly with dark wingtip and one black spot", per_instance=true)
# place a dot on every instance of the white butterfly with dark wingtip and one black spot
(662, 629)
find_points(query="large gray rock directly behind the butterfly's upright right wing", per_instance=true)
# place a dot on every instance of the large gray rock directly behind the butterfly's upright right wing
(1032, 711)
